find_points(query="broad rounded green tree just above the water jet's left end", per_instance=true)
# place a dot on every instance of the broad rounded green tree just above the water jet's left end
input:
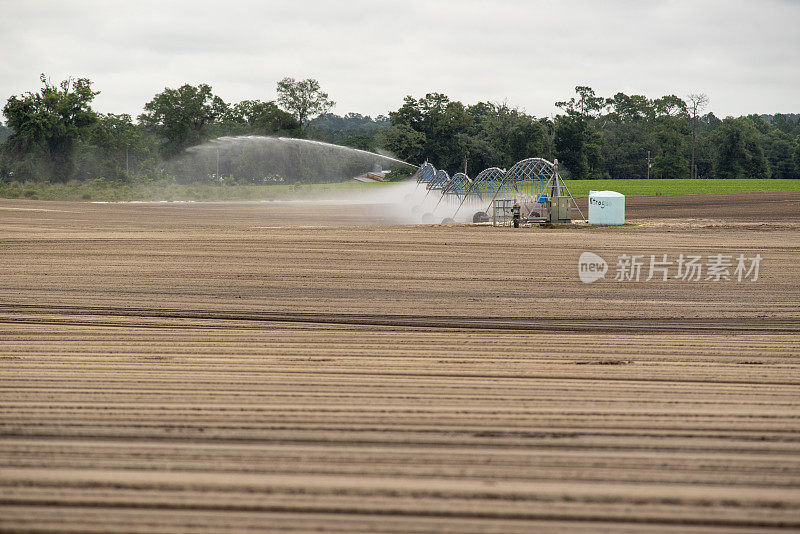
(181, 117)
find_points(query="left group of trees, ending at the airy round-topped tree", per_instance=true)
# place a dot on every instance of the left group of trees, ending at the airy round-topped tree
(55, 135)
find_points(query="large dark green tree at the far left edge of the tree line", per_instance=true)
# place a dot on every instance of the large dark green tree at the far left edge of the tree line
(46, 125)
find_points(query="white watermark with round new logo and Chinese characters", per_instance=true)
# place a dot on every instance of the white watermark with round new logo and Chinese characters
(684, 267)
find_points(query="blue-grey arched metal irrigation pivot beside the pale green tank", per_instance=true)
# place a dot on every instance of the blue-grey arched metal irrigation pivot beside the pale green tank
(532, 184)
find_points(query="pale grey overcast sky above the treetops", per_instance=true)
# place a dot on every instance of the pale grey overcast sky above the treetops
(368, 55)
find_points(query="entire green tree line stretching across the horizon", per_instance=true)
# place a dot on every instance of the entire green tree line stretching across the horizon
(55, 135)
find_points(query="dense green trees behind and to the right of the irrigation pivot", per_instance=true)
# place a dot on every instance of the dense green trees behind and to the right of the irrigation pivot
(596, 137)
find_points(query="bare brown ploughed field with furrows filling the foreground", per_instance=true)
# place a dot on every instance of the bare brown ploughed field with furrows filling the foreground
(312, 367)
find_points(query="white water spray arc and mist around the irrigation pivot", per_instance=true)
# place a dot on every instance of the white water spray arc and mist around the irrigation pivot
(288, 161)
